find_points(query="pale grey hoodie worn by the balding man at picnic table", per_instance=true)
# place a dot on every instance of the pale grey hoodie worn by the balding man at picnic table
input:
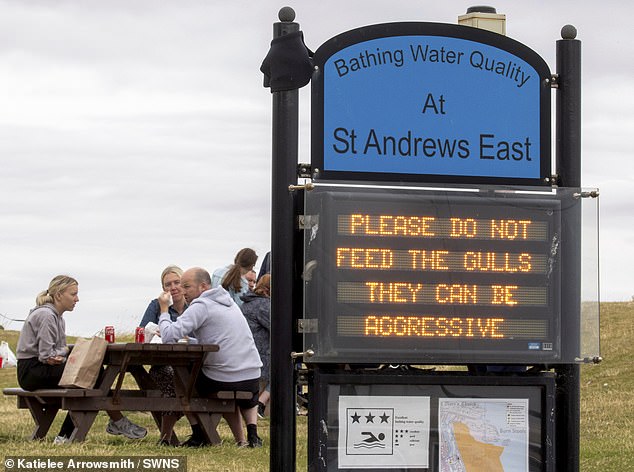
(214, 318)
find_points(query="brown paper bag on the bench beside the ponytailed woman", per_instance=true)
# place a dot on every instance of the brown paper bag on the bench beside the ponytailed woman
(84, 363)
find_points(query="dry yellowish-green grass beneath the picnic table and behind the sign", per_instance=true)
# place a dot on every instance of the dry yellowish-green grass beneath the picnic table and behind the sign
(607, 417)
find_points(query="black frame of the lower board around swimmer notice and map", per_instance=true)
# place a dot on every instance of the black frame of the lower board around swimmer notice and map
(324, 427)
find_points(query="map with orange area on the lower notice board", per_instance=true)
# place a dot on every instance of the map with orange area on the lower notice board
(483, 435)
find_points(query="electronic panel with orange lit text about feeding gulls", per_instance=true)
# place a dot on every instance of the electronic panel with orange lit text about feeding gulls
(418, 276)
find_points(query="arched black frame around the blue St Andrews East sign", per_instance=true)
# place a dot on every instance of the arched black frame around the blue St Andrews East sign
(429, 30)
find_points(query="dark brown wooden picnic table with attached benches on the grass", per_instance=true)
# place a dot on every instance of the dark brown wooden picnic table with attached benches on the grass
(121, 358)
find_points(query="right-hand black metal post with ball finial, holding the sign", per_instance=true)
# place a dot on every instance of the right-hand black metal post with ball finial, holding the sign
(568, 152)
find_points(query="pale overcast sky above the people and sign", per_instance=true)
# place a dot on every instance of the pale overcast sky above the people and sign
(137, 133)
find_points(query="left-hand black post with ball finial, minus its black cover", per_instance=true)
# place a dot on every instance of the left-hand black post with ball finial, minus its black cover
(285, 151)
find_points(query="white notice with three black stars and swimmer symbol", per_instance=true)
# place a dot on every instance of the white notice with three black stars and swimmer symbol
(383, 432)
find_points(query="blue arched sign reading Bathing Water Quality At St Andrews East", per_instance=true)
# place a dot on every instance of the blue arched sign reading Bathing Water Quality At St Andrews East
(454, 104)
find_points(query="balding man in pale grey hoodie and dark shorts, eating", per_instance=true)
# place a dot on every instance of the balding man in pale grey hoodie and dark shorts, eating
(214, 318)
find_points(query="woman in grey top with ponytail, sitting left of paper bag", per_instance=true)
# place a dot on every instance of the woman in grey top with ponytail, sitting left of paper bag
(42, 352)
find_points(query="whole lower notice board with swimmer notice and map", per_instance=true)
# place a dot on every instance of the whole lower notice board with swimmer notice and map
(438, 422)
